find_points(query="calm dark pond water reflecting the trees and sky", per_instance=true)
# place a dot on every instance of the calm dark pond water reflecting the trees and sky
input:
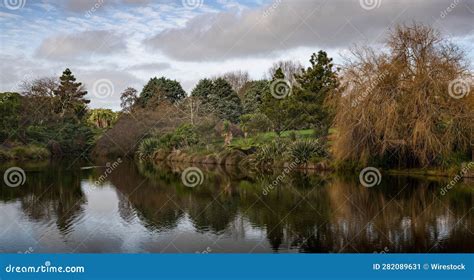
(141, 208)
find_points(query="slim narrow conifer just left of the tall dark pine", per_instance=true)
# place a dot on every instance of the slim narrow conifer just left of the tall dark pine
(275, 107)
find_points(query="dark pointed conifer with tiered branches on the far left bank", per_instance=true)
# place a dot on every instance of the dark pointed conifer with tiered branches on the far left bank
(70, 96)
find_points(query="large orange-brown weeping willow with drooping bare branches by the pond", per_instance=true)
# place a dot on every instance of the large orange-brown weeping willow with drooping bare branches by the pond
(408, 106)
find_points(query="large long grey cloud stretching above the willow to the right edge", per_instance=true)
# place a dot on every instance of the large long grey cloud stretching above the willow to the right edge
(284, 25)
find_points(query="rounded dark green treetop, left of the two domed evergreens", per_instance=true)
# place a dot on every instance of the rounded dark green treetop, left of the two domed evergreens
(162, 89)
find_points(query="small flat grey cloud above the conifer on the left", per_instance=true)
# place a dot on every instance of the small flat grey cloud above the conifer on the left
(85, 43)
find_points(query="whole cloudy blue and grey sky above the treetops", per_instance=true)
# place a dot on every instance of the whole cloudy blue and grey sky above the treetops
(110, 45)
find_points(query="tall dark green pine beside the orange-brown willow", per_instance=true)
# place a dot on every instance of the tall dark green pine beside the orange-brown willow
(313, 88)
